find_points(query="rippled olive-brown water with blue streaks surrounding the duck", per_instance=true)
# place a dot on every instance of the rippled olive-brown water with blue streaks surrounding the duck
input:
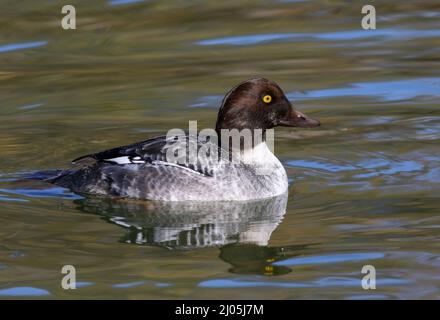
(364, 187)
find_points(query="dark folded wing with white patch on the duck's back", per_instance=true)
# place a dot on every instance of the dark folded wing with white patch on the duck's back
(163, 150)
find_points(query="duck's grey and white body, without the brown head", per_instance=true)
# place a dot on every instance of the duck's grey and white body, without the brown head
(142, 171)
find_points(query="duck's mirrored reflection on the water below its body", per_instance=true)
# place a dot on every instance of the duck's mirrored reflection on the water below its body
(240, 229)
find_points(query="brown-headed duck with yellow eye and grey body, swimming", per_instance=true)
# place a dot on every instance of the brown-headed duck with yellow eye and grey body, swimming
(163, 168)
